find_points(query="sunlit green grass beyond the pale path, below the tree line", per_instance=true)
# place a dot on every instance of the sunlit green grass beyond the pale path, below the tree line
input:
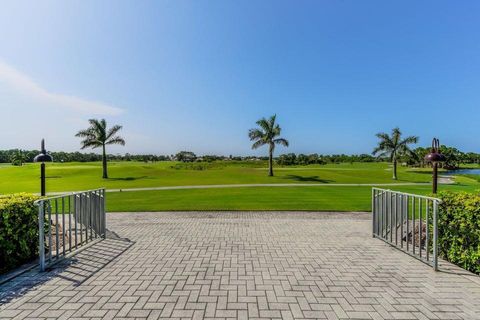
(83, 176)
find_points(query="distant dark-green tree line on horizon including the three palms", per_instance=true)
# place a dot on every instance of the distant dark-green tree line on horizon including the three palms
(391, 147)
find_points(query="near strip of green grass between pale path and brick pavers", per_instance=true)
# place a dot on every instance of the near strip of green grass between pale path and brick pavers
(257, 198)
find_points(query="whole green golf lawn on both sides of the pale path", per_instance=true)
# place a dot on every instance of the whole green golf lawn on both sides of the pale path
(123, 175)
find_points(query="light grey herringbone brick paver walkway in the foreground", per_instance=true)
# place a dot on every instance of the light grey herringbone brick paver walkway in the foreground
(242, 265)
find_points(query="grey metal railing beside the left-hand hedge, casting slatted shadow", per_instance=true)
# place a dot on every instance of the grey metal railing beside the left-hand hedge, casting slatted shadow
(68, 222)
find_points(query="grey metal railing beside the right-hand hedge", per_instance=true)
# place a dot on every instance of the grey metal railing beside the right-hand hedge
(407, 222)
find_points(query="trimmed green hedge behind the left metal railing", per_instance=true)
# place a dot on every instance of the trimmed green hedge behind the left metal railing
(18, 230)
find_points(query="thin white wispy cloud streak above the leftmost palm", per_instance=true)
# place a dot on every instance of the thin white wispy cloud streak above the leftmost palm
(24, 84)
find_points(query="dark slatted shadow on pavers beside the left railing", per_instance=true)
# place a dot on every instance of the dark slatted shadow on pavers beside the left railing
(75, 269)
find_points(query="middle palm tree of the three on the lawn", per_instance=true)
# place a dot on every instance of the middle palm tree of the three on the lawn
(267, 134)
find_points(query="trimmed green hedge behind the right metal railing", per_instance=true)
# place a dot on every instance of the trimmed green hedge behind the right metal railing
(459, 229)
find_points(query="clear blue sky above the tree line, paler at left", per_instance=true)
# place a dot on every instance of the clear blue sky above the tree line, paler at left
(196, 75)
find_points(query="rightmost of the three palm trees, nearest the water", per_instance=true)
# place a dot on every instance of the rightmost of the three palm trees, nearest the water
(394, 147)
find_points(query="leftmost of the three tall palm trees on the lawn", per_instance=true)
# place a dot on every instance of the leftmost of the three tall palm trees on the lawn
(97, 135)
